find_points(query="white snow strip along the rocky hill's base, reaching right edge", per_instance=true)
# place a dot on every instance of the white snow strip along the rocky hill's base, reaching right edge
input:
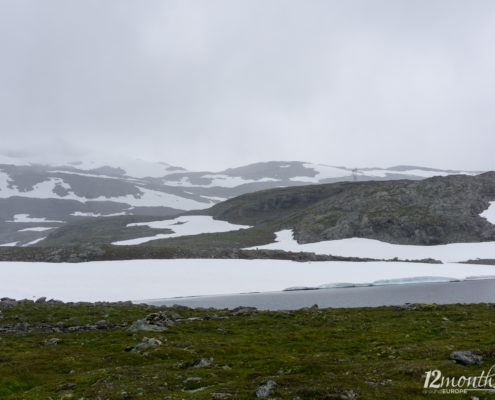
(369, 248)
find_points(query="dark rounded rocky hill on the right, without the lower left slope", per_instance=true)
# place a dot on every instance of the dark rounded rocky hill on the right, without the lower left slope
(432, 211)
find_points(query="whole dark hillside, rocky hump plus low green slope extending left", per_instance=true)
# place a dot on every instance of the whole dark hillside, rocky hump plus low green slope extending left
(437, 210)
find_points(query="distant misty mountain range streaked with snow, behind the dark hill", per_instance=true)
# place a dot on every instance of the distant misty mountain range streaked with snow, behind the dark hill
(37, 197)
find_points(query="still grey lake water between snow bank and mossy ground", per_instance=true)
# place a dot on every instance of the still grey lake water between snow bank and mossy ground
(471, 291)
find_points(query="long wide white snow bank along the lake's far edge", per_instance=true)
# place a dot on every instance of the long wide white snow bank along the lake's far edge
(147, 279)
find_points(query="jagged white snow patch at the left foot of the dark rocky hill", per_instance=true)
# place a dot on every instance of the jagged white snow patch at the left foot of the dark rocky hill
(182, 226)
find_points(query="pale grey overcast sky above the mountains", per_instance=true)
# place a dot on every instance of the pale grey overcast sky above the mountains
(214, 84)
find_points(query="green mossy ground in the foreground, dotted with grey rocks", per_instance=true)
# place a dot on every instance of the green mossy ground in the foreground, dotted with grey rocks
(379, 353)
